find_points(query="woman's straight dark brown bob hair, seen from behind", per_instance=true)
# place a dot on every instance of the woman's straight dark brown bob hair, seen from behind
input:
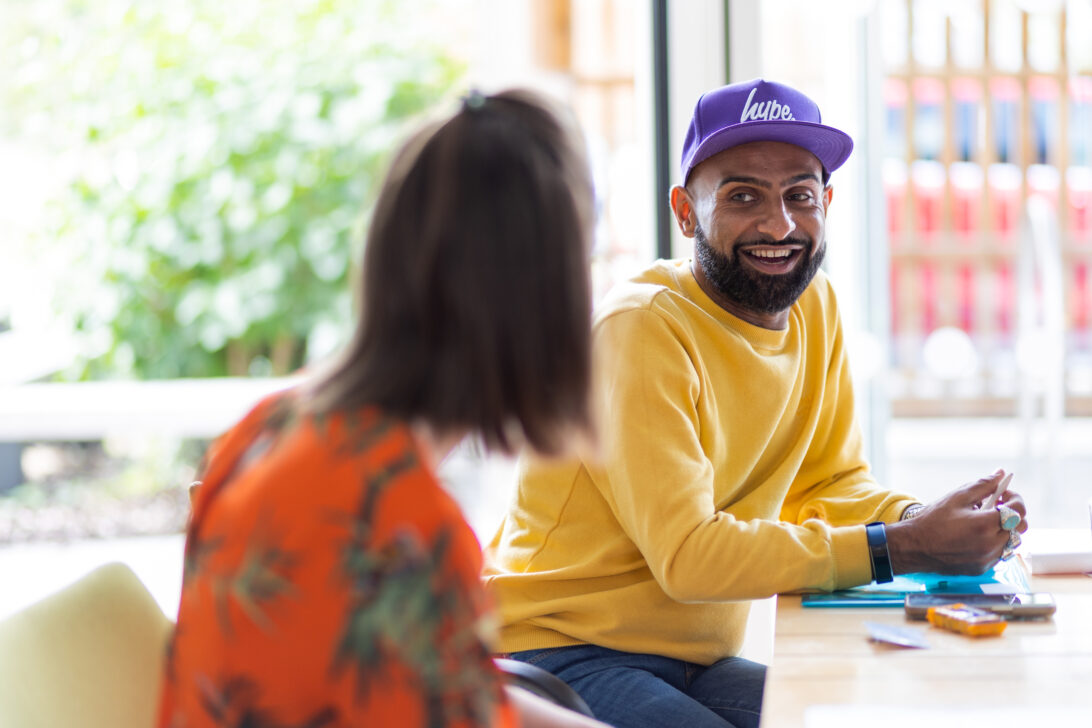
(476, 302)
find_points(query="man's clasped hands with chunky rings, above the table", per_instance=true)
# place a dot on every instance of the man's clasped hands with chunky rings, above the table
(955, 535)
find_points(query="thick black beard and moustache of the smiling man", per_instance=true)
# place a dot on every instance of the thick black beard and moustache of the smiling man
(750, 289)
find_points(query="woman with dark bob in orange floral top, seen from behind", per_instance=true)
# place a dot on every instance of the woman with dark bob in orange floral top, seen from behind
(329, 579)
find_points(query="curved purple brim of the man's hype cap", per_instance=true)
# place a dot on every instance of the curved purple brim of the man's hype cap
(830, 146)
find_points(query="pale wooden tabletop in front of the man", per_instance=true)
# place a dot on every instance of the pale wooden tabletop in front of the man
(826, 671)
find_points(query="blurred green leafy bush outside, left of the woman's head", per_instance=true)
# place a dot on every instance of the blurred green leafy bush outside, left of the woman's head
(219, 160)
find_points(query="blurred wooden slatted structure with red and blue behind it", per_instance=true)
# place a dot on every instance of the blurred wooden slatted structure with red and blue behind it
(969, 144)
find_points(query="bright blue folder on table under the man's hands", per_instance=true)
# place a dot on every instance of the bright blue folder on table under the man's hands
(1006, 578)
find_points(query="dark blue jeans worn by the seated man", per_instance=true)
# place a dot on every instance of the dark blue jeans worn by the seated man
(648, 691)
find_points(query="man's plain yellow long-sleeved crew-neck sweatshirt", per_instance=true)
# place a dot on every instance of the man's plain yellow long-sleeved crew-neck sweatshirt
(731, 469)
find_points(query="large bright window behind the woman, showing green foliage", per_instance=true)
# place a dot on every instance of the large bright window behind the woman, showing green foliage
(183, 196)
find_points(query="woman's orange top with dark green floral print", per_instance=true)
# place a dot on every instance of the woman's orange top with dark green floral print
(329, 582)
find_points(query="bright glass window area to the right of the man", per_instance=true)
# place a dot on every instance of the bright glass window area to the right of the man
(959, 234)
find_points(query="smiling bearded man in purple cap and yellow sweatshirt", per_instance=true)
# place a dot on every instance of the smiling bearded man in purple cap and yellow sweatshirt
(731, 464)
